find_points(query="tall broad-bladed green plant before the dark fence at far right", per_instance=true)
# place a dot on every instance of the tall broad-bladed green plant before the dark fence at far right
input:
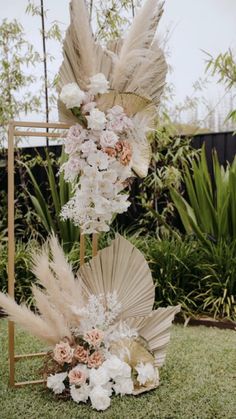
(210, 207)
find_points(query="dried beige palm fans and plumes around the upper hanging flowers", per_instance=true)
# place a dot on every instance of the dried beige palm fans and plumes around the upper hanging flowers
(135, 68)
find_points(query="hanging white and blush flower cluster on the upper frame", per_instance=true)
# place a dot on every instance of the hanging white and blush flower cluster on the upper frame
(99, 158)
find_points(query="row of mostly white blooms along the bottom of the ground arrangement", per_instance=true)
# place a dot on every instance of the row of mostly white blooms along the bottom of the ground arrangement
(98, 384)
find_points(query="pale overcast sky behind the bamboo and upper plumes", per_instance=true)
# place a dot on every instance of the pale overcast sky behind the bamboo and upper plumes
(193, 25)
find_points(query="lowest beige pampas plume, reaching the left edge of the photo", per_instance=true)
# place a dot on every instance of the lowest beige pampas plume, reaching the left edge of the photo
(33, 323)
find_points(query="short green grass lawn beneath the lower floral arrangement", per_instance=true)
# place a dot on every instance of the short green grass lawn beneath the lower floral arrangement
(197, 381)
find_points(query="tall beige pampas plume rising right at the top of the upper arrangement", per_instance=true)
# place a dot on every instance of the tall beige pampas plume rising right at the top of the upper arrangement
(136, 46)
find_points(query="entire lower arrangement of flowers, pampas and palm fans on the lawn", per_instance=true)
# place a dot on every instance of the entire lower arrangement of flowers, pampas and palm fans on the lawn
(105, 338)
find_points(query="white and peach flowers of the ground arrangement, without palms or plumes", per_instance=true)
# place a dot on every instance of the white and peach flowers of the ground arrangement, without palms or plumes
(98, 359)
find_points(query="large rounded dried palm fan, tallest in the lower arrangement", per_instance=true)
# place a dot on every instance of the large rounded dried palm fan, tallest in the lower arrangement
(122, 268)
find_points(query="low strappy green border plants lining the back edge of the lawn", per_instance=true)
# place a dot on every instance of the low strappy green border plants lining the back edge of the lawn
(201, 279)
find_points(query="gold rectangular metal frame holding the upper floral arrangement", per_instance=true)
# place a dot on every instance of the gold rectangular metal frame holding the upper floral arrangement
(14, 131)
